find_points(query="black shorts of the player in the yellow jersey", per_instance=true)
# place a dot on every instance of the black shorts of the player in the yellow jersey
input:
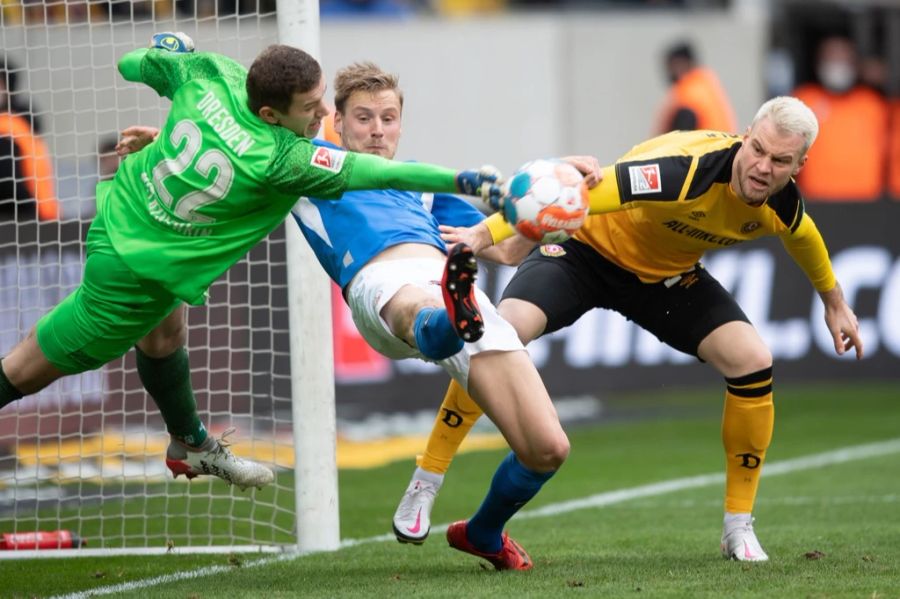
(571, 278)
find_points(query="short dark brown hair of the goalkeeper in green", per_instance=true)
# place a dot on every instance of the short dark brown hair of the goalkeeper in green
(277, 74)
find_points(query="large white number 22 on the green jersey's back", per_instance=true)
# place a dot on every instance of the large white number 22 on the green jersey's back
(185, 207)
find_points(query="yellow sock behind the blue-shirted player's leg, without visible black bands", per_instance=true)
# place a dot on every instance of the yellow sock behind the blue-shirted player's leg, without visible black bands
(455, 419)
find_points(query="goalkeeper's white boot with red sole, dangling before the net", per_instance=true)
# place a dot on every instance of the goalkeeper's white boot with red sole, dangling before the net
(214, 457)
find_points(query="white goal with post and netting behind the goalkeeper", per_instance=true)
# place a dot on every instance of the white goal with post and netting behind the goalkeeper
(87, 454)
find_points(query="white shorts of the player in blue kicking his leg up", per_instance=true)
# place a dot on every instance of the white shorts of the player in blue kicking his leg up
(377, 283)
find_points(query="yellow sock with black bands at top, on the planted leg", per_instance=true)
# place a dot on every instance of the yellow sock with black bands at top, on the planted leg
(747, 424)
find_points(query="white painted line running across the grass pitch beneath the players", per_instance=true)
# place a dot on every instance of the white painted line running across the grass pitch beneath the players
(818, 460)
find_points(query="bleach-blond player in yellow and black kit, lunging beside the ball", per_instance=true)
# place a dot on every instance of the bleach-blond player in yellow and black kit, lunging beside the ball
(654, 214)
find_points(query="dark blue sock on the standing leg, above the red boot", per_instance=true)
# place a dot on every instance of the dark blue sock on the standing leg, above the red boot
(512, 487)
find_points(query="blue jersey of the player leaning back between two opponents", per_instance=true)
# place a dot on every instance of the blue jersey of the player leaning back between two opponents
(345, 234)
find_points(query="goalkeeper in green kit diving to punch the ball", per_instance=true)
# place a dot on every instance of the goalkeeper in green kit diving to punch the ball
(232, 159)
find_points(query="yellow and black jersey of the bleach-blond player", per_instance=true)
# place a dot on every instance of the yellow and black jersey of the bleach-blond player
(666, 202)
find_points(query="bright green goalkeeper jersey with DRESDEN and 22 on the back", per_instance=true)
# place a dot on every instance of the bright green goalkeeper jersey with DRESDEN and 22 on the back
(217, 179)
